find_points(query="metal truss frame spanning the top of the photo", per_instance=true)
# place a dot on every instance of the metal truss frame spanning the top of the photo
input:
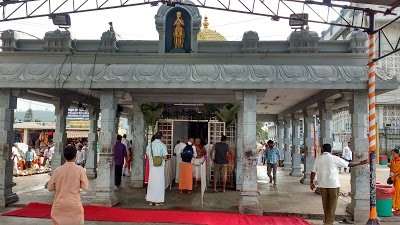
(11, 10)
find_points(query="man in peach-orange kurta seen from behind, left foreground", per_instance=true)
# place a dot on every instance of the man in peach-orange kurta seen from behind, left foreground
(66, 182)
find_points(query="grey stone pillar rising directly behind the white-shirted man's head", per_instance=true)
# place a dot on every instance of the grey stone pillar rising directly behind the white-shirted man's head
(325, 115)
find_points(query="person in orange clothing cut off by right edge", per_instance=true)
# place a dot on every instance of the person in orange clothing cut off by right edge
(395, 175)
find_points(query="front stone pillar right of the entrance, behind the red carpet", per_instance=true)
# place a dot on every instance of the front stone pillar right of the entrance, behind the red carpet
(249, 194)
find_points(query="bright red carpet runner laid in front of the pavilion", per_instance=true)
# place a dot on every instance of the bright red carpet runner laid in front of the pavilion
(99, 213)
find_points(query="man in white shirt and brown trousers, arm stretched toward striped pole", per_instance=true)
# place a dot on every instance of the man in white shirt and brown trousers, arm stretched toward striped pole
(326, 169)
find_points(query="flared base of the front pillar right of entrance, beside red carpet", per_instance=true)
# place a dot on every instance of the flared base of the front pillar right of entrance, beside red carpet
(249, 204)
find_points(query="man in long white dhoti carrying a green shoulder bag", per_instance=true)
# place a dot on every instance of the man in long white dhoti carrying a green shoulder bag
(156, 186)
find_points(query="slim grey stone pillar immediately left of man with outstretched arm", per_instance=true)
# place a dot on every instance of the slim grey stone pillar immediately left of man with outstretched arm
(308, 145)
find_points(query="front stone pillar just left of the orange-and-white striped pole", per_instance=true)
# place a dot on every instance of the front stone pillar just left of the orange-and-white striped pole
(359, 206)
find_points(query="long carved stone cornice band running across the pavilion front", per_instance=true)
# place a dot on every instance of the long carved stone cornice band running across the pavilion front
(181, 73)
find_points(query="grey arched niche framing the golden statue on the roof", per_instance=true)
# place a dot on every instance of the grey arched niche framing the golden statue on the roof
(165, 19)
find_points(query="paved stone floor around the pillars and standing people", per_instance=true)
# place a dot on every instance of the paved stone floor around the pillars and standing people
(288, 198)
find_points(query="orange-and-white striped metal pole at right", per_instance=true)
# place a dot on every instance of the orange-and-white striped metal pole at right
(373, 217)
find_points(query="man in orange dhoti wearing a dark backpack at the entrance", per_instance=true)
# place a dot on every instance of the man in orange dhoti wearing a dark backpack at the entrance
(185, 167)
